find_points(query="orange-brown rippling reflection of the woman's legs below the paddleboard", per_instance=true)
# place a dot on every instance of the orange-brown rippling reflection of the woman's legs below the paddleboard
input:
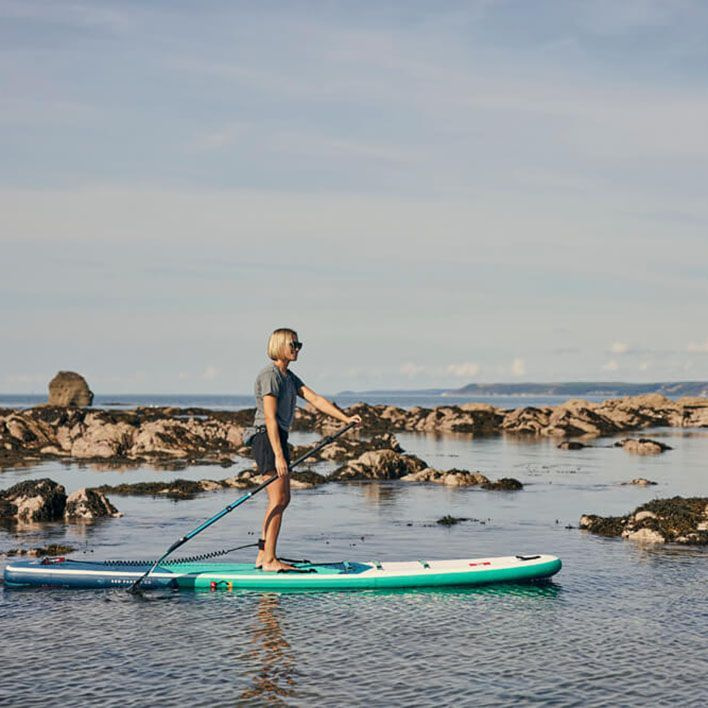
(270, 652)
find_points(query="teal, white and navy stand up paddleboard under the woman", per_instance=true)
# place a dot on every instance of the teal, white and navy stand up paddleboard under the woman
(65, 572)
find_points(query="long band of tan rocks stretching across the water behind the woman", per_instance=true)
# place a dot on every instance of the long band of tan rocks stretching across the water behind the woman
(157, 435)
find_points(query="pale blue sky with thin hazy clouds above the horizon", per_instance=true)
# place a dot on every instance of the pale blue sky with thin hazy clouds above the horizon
(431, 194)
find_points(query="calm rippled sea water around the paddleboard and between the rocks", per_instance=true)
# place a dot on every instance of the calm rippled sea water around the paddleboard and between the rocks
(621, 624)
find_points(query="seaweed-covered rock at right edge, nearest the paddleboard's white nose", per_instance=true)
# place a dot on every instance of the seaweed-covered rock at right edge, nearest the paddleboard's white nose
(676, 520)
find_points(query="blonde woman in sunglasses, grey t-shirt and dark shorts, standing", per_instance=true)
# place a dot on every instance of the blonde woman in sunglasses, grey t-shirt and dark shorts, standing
(276, 390)
